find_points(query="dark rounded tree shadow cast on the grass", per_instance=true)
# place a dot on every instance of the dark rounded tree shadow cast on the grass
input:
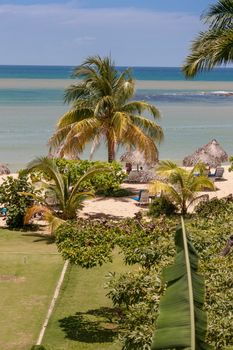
(93, 326)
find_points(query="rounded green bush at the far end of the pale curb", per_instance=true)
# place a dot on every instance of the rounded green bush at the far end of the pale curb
(85, 243)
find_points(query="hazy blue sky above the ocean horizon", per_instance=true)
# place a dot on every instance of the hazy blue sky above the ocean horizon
(135, 32)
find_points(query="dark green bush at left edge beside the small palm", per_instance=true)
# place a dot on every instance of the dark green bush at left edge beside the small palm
(16, 204)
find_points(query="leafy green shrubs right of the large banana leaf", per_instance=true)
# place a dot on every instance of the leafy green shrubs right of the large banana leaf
(209, 237)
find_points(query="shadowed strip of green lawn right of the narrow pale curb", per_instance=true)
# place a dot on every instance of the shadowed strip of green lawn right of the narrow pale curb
(82, 316)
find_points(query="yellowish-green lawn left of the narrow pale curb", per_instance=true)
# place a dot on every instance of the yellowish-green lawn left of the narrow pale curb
(29, 270)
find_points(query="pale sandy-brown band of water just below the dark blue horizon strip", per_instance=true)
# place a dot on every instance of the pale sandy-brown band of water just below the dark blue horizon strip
(12, 83)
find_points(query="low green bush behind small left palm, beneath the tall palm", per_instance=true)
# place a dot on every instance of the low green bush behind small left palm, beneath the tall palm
(103, 183)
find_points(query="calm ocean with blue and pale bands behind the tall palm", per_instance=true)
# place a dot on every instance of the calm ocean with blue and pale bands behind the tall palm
(193, 112)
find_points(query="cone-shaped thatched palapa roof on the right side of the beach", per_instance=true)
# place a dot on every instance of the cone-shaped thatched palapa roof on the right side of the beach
(212, 154)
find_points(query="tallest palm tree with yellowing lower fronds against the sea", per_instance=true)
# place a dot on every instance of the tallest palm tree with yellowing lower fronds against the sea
(103, 109)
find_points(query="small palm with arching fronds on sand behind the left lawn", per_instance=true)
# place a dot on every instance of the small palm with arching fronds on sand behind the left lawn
(64, 199)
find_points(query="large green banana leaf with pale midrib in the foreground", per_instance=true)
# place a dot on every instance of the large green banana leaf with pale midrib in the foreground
(182, 323)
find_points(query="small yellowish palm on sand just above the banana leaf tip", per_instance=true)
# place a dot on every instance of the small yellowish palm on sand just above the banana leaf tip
(183, 185)
